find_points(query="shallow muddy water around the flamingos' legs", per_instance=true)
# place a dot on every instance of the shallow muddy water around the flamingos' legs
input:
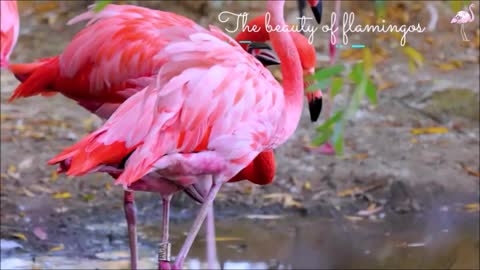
(441, 239)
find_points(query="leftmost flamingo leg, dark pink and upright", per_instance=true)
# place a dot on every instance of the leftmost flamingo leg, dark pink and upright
(130, 215)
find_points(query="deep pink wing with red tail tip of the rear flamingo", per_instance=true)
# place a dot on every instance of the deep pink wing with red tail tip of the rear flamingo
(109, 60)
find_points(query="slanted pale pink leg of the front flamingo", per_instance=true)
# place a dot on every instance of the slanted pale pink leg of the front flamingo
(196, 226)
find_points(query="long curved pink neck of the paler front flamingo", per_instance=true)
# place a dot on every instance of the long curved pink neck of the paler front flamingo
(291, 68)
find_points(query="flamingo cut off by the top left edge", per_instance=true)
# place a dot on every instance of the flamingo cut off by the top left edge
(9, 26)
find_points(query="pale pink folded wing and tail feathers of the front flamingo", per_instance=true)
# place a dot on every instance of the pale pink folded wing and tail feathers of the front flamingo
(209, 96)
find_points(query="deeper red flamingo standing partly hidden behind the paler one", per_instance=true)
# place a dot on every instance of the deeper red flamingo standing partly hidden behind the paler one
(90, 76)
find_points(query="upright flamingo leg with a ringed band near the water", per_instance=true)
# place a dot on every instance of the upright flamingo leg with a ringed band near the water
(164, 247)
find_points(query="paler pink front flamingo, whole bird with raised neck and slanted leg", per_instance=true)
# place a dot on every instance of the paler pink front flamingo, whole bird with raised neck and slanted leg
(235, 118)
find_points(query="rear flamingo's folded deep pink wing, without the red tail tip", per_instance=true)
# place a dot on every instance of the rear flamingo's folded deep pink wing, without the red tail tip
(119, 42)
